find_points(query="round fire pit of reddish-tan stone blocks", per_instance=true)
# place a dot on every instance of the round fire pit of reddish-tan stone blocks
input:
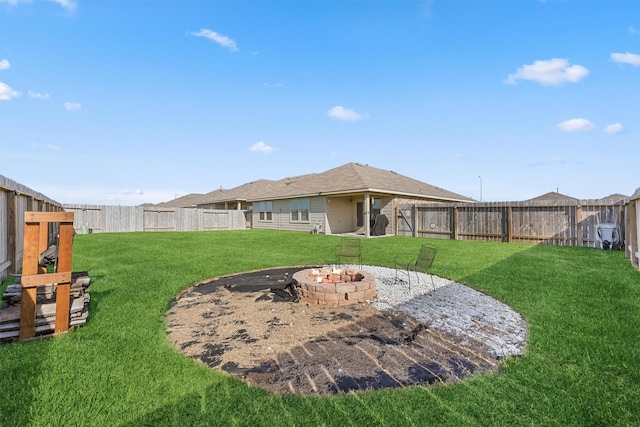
(334, 286)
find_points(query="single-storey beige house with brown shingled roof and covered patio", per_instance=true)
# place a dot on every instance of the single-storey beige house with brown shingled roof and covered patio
(346, 199)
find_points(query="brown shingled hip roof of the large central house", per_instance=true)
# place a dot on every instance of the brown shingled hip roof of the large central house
(345, 179)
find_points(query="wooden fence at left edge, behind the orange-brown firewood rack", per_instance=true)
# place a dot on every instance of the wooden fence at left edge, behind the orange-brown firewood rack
(15, 200)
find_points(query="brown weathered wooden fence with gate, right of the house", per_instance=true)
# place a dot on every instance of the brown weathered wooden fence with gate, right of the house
(562, 224)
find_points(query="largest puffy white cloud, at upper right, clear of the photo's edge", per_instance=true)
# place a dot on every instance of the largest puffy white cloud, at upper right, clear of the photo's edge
(549, 72)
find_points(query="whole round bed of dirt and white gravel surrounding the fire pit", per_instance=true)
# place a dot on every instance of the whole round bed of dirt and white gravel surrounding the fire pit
(431, 330)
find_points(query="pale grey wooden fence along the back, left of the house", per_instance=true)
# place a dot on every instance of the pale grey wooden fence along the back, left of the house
(106, 219)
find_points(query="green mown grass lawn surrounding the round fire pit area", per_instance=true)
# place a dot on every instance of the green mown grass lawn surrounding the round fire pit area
(582, 365)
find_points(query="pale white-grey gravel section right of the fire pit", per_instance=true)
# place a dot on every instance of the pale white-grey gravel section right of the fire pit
(451, 307)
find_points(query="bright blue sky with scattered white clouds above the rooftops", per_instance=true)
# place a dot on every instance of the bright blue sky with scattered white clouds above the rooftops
(126, 102)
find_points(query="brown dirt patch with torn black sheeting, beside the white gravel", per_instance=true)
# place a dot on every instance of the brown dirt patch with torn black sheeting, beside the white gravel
(251, 326)
